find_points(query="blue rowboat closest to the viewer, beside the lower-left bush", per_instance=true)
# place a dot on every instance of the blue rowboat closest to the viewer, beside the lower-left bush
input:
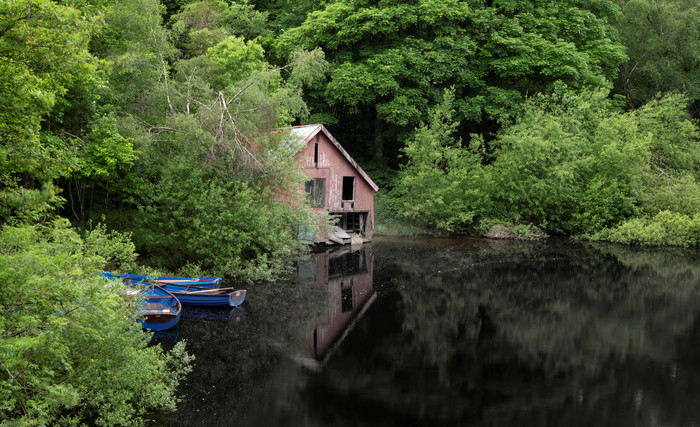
(160, 309)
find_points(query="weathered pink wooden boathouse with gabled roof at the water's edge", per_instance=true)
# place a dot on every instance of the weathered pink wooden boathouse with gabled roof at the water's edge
(336, 183)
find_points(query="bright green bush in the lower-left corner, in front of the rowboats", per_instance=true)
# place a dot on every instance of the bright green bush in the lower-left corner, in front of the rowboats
(70, 347)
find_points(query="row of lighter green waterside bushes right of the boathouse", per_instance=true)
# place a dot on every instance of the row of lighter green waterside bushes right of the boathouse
(571, 164)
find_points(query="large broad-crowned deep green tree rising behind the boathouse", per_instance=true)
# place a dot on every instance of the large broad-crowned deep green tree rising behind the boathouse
(392, 60)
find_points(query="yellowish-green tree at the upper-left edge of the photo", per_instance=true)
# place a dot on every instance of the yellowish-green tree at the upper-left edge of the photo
(43, 49)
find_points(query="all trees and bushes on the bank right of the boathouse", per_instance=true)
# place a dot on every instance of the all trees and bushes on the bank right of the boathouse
(568, 118)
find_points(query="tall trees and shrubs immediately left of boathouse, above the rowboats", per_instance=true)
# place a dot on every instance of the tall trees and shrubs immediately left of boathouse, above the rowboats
(196, 104)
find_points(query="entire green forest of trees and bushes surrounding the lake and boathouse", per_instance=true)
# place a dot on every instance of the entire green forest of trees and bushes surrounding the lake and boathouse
(149, 135)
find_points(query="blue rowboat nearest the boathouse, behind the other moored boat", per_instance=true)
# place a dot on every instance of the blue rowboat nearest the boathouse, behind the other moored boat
(202, 297)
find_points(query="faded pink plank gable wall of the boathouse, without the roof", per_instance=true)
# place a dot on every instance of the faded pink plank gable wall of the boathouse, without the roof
(333, 166)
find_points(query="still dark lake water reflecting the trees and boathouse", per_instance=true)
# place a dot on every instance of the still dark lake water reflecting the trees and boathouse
(458, 333)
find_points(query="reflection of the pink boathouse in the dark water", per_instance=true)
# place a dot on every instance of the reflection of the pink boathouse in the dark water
(346, 273)
